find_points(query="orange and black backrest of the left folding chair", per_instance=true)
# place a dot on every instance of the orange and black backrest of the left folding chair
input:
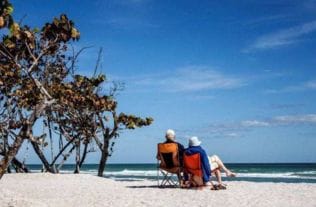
(169, 155)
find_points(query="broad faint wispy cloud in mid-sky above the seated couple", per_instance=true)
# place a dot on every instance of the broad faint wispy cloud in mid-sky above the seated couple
(188, 79)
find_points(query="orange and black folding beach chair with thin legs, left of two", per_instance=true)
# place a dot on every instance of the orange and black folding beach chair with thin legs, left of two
(168, 170)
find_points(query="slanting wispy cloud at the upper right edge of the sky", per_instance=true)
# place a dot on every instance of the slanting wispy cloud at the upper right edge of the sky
(282, 37)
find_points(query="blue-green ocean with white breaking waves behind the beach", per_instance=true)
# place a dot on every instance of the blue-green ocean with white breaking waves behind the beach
(270, 172)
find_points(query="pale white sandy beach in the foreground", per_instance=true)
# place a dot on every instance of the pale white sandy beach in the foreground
(68, 190)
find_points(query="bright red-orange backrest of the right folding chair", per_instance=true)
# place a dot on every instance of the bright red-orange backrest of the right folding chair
(192, 164)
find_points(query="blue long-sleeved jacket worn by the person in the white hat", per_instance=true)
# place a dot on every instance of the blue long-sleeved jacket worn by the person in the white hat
(206, 168)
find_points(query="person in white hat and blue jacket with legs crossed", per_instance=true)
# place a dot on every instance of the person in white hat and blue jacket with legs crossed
(210, 164)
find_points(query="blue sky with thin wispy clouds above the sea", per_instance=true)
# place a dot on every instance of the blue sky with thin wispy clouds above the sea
(239, 75)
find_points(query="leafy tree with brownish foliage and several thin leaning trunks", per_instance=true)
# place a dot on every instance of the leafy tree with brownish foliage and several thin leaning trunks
(38, 84)
